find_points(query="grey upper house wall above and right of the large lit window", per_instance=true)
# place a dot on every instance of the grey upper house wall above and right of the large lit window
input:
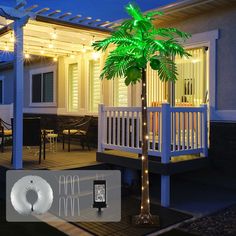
(224, 20)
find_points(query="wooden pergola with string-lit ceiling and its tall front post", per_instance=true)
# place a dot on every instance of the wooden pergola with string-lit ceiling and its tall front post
(29, 30)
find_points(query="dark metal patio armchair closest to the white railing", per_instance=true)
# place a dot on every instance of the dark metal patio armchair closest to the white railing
(79, 132)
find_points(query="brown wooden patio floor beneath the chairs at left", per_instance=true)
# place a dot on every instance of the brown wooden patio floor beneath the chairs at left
(60, 160)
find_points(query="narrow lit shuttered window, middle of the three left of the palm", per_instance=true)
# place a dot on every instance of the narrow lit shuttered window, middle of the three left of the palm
(94, 85)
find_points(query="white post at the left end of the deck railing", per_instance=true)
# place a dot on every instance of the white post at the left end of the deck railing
(101, 128)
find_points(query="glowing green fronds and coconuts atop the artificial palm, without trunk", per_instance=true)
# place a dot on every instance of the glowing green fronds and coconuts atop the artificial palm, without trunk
(139, 42)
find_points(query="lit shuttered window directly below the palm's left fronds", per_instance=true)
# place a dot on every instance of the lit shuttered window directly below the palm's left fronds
(120, 91)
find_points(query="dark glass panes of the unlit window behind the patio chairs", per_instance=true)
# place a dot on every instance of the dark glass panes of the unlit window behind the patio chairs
(42, 87)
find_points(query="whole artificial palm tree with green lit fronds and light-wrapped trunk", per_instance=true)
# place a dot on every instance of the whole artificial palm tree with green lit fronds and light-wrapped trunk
(139, 43)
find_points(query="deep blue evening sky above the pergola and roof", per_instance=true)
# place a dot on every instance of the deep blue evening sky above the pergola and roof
(103, 9)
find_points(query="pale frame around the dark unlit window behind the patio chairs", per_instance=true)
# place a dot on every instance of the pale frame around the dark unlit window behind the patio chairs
(43, 70)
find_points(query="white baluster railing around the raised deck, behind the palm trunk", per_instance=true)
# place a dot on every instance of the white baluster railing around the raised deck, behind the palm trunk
(172, 131)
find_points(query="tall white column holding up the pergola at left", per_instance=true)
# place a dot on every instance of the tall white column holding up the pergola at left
(18, 93)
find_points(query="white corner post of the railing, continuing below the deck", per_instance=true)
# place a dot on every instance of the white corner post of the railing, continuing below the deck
(165, 152)
